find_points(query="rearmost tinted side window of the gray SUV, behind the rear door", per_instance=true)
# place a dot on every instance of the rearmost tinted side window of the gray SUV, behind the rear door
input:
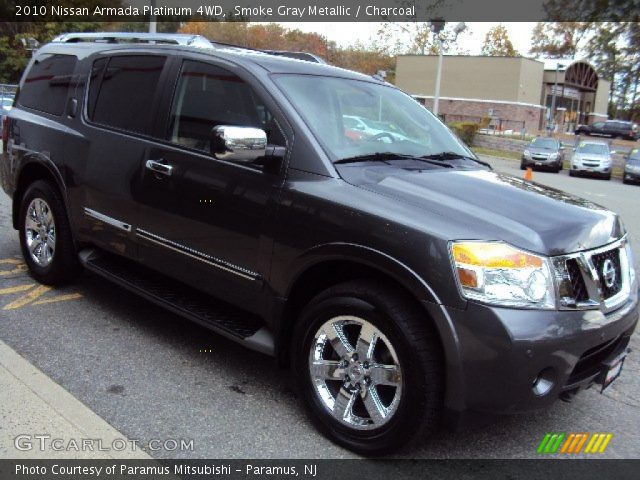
(45, 88)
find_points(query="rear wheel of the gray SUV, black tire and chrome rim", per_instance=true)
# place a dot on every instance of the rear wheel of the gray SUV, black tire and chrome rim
(45, 235)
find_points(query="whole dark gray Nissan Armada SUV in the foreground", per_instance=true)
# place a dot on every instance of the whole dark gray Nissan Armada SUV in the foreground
(403, 280)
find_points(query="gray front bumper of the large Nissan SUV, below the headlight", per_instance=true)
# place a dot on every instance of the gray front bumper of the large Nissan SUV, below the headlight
(504, 351)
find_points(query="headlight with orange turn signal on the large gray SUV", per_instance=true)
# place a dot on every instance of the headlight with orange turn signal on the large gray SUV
(499, 274)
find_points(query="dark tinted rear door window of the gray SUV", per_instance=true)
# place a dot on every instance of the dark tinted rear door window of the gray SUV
(126, 92)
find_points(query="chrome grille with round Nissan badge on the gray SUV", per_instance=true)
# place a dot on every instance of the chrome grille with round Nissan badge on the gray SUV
(597, 278)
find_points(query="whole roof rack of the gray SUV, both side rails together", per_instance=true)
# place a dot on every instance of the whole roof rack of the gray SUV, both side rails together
(173, 39)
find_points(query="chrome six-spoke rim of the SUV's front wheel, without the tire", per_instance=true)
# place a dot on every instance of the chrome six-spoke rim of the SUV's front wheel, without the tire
(355, 372)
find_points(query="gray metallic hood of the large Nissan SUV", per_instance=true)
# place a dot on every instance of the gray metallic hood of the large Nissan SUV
(494, 206)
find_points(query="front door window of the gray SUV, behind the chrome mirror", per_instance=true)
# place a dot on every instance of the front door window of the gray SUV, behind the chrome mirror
(207, 96)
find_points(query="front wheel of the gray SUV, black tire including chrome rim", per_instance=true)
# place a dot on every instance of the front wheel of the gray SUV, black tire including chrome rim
(369, 367)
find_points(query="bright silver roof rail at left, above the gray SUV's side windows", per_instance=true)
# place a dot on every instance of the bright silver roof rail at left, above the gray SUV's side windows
(136, 37)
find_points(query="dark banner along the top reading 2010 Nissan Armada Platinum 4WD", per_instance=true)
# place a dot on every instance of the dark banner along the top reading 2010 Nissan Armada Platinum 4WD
(320, 10)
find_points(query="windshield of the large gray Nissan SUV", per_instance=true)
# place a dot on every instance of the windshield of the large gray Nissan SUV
(353, 118)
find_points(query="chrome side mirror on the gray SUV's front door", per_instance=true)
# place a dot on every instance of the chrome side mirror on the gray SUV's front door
(238, 144)
